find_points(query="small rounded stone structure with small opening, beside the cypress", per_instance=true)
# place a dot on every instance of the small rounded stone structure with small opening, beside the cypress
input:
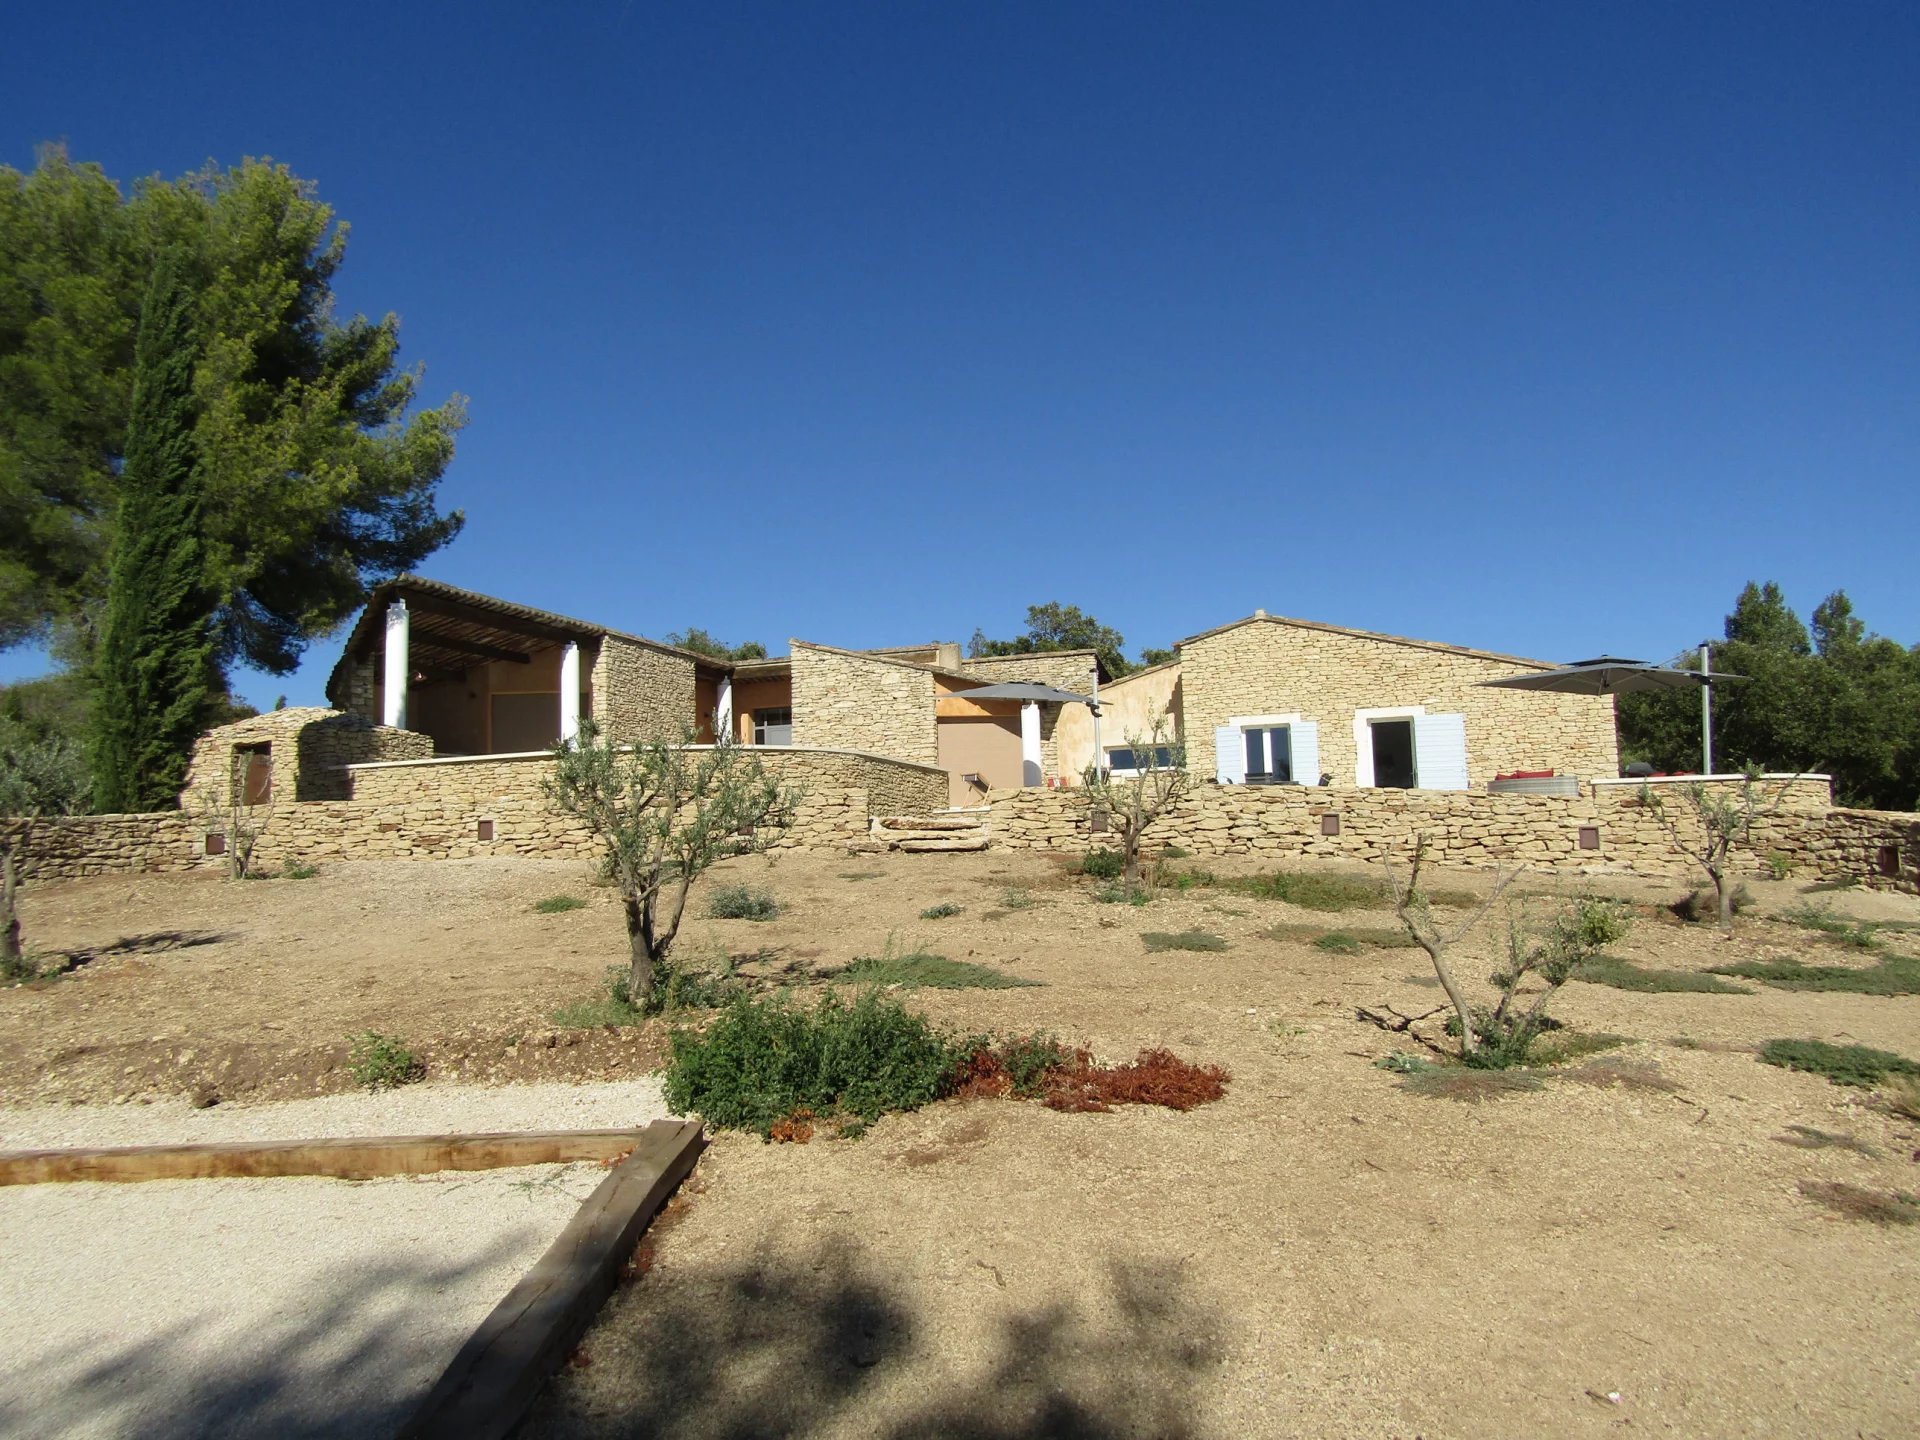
(310, 754)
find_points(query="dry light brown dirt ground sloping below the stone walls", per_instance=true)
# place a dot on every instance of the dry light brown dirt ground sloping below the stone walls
(1322, 1253)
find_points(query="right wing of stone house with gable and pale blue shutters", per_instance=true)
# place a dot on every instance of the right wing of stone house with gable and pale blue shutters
(1270, 700)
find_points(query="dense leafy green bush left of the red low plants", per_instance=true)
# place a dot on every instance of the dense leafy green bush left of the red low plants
(765, 1059)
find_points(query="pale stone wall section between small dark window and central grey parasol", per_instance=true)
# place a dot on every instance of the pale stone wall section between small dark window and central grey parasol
(844, 700)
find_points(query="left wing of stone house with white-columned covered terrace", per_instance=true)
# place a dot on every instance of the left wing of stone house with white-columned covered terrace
(477, 675)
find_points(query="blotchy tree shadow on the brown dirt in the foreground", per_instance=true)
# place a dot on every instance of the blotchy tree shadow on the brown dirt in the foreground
(821, 1339)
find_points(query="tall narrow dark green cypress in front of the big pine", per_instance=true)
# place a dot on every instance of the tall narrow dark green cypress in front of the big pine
(156, 638)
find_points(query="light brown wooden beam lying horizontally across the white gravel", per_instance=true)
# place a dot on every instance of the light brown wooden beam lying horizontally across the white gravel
(345, 1159)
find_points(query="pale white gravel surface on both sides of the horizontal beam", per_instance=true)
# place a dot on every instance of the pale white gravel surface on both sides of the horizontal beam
(299, 1308)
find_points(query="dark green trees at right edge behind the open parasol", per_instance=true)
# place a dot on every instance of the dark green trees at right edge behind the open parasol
(1835, 698)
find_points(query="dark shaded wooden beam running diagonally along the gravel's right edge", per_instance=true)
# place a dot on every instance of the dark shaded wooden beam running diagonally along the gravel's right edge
(498, 1374)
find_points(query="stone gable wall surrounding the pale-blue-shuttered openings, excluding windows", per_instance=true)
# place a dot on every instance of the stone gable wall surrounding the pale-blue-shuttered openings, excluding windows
(1324, 675)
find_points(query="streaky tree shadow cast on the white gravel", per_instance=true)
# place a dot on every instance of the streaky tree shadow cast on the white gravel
(350, 1362)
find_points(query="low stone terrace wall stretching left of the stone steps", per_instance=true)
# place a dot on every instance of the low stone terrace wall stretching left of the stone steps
(448, 809)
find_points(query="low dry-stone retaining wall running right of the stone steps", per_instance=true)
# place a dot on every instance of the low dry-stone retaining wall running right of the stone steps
(1608, 830)
